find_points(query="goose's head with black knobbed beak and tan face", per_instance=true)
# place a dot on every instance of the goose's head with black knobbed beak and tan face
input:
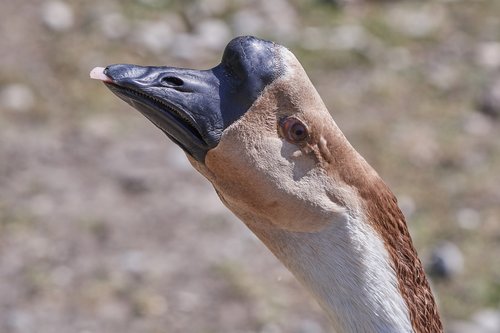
(253, 125)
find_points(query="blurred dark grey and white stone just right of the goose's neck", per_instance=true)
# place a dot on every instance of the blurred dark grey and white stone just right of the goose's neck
(446, 261)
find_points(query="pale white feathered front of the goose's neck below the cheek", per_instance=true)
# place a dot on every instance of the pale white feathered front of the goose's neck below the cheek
(347, 269)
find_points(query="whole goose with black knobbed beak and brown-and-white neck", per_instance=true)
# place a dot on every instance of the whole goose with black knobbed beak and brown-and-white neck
(257, 129)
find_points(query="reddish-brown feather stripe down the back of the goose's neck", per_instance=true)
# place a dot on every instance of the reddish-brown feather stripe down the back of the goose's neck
(386, 218)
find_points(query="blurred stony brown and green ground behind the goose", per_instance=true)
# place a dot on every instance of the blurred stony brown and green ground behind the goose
(105, 227)
